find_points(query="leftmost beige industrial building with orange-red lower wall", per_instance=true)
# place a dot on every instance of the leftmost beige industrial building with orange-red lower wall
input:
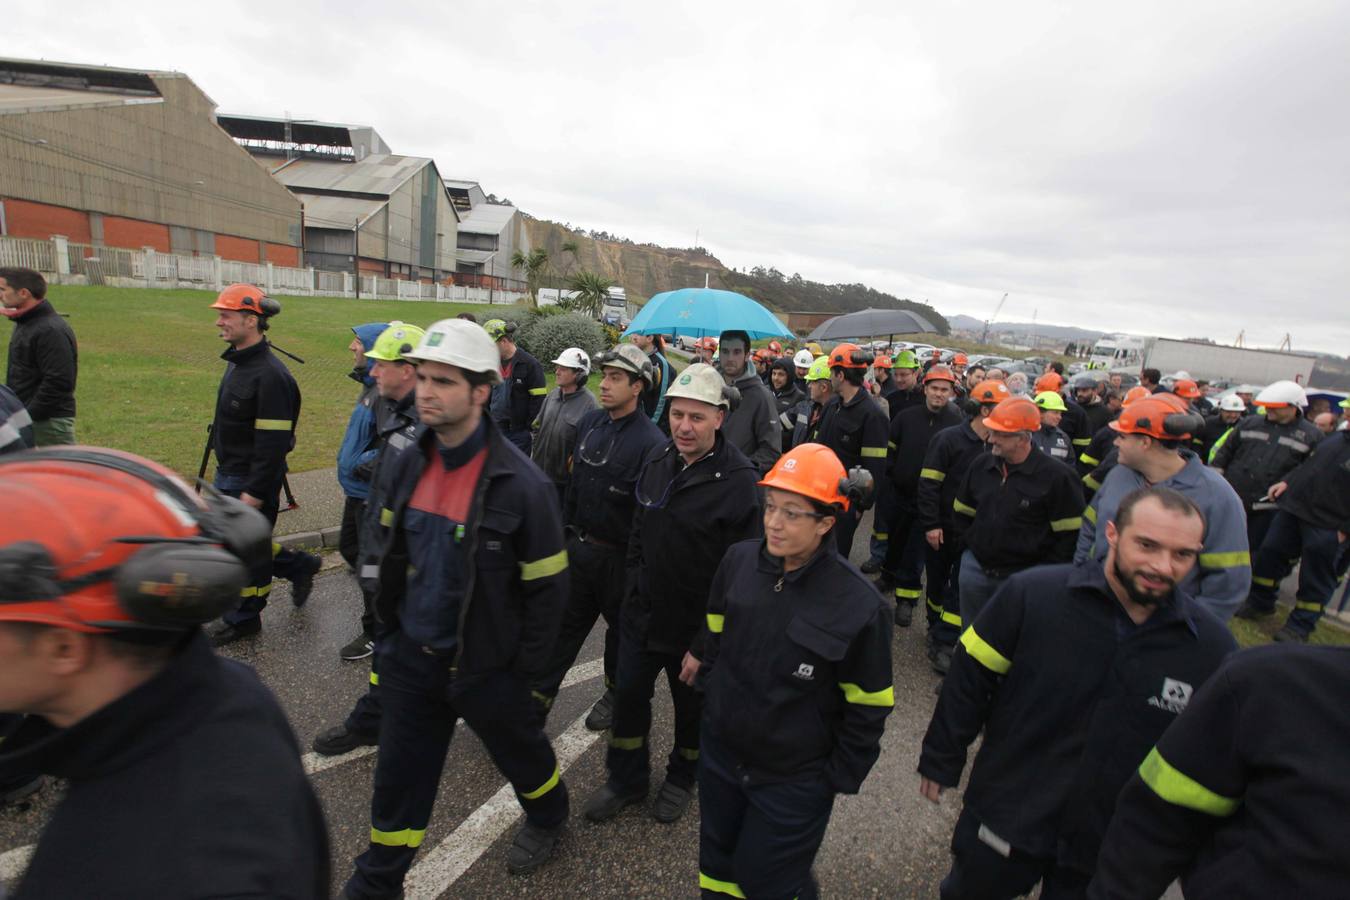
(130, 159)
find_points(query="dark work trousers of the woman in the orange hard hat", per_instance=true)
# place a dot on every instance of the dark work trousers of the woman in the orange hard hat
(758, 841)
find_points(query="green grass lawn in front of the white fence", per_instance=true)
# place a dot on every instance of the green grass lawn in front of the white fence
(151, 364)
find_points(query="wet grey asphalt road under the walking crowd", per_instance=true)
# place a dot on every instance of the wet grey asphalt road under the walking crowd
(885, 843)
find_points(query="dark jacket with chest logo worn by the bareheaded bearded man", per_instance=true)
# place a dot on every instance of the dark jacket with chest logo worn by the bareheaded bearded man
(1071, 696)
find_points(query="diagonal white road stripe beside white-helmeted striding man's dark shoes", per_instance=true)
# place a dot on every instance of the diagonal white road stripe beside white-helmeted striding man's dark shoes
(449, 860)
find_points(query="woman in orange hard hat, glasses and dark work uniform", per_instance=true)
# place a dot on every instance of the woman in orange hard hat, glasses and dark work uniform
(797, 674)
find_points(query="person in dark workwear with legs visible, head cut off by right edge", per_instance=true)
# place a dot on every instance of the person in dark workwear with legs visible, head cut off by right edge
(1310, 527)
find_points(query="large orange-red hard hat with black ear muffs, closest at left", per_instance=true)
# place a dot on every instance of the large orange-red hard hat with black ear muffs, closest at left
(98, 540)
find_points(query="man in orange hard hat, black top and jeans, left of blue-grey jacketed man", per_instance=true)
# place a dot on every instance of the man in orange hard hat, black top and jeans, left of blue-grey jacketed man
(1017, 508)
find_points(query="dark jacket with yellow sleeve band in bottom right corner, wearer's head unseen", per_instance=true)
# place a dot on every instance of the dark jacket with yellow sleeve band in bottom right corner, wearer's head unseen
(1245, 797)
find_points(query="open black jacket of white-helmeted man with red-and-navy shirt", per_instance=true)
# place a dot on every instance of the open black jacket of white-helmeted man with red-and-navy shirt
(516, 586)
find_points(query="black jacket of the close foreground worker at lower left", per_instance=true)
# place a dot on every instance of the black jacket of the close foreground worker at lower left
(190, 786)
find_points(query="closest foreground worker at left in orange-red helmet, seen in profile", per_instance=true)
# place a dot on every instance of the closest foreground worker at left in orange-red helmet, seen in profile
(183, 775)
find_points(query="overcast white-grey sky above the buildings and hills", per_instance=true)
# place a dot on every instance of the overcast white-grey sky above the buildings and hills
(1156, 168)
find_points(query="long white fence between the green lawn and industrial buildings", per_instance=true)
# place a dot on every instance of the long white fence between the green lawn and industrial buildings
(67, 264)
